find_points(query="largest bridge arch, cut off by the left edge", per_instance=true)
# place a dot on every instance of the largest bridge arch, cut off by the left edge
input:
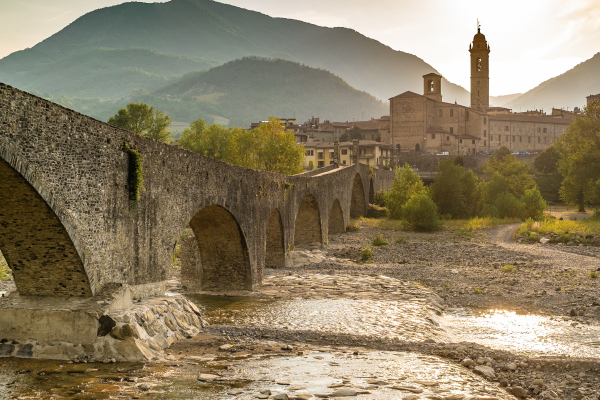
(36, 242)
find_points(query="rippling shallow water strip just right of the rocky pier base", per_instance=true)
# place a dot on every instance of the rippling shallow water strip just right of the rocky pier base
(403, 320)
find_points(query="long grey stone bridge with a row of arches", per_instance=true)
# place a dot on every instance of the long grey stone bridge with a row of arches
(71, 222)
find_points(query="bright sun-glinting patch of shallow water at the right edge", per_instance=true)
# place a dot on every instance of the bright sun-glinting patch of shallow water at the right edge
(529, 334)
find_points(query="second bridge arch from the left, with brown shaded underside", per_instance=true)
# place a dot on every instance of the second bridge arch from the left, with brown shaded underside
(223, 250)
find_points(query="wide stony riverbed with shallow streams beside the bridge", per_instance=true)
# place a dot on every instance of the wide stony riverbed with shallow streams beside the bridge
(333, 326)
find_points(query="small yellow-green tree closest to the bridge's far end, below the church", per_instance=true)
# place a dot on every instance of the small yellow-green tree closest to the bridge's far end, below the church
(407, 183)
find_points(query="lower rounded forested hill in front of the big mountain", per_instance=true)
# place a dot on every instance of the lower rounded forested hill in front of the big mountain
(248, 90)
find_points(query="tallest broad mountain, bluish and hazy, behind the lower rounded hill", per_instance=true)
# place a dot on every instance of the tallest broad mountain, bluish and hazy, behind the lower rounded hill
(186, 35)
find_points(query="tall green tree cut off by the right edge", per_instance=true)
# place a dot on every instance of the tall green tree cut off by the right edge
(579, 163)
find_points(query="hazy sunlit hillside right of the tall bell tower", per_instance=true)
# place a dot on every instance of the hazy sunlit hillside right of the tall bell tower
(567, 90)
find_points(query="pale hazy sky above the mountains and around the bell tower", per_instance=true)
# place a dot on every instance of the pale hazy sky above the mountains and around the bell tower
(530, 40)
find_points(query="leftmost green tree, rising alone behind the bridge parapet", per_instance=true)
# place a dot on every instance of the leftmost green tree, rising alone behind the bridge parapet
(143, 120)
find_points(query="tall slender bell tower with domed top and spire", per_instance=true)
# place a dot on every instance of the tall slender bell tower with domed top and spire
(480, 72)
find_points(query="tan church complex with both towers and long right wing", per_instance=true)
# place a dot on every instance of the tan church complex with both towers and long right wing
(424, 123)
